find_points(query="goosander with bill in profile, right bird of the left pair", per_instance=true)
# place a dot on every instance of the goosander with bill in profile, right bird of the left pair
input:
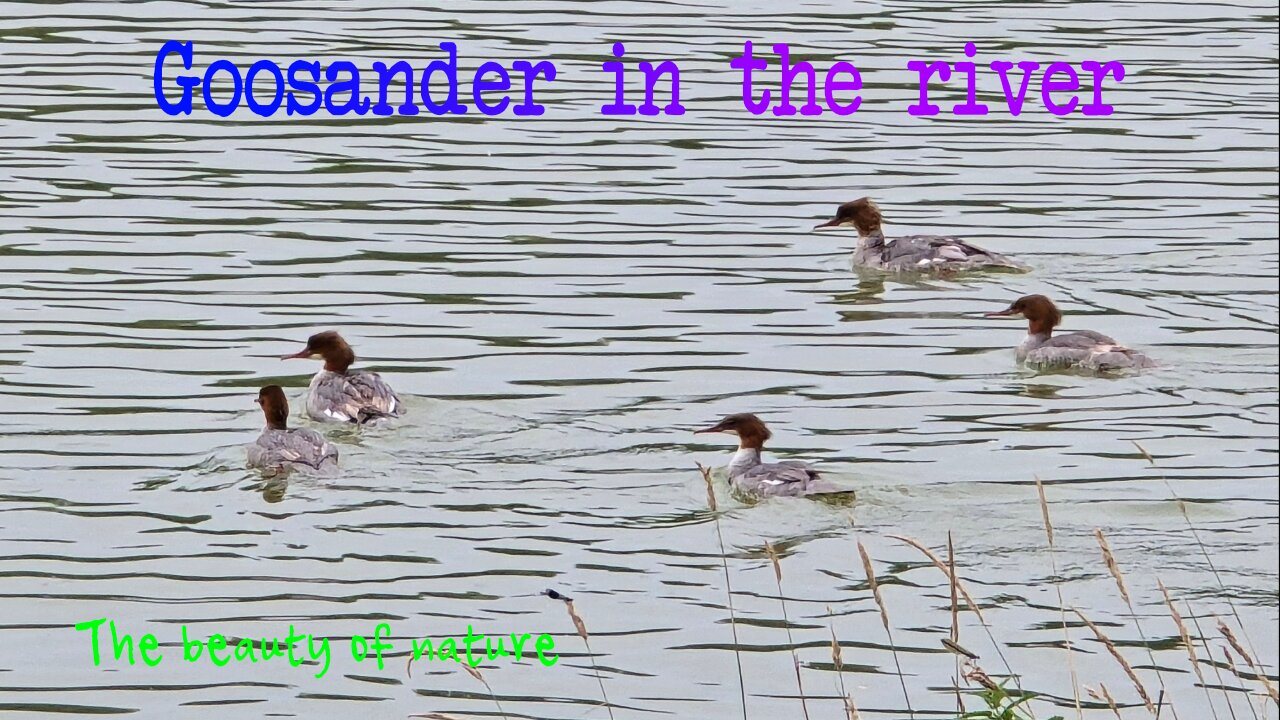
(342, 395)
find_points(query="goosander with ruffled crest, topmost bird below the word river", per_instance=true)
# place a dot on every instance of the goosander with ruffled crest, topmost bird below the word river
(916, 253)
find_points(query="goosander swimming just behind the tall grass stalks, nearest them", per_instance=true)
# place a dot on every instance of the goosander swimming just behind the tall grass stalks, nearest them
(749, 475)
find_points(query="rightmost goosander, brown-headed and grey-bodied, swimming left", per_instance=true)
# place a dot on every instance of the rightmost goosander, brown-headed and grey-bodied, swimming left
(1085, 350)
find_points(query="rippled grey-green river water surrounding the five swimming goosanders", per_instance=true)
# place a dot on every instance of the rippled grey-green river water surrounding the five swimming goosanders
(561, 300)
